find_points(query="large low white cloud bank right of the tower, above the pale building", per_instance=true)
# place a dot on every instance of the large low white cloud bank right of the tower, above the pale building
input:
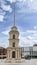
(28, 38)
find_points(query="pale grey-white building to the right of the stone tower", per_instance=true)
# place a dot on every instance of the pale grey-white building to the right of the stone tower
(29, 52)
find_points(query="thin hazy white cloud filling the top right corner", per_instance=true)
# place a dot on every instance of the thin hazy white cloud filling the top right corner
(27, 6)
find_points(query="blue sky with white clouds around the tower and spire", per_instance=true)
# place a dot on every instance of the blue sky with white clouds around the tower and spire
(26, 21)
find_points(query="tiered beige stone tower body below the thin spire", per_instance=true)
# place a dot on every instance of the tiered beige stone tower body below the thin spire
(13, 51)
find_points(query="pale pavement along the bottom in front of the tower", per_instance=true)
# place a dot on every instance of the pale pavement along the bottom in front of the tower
(26, 62)
